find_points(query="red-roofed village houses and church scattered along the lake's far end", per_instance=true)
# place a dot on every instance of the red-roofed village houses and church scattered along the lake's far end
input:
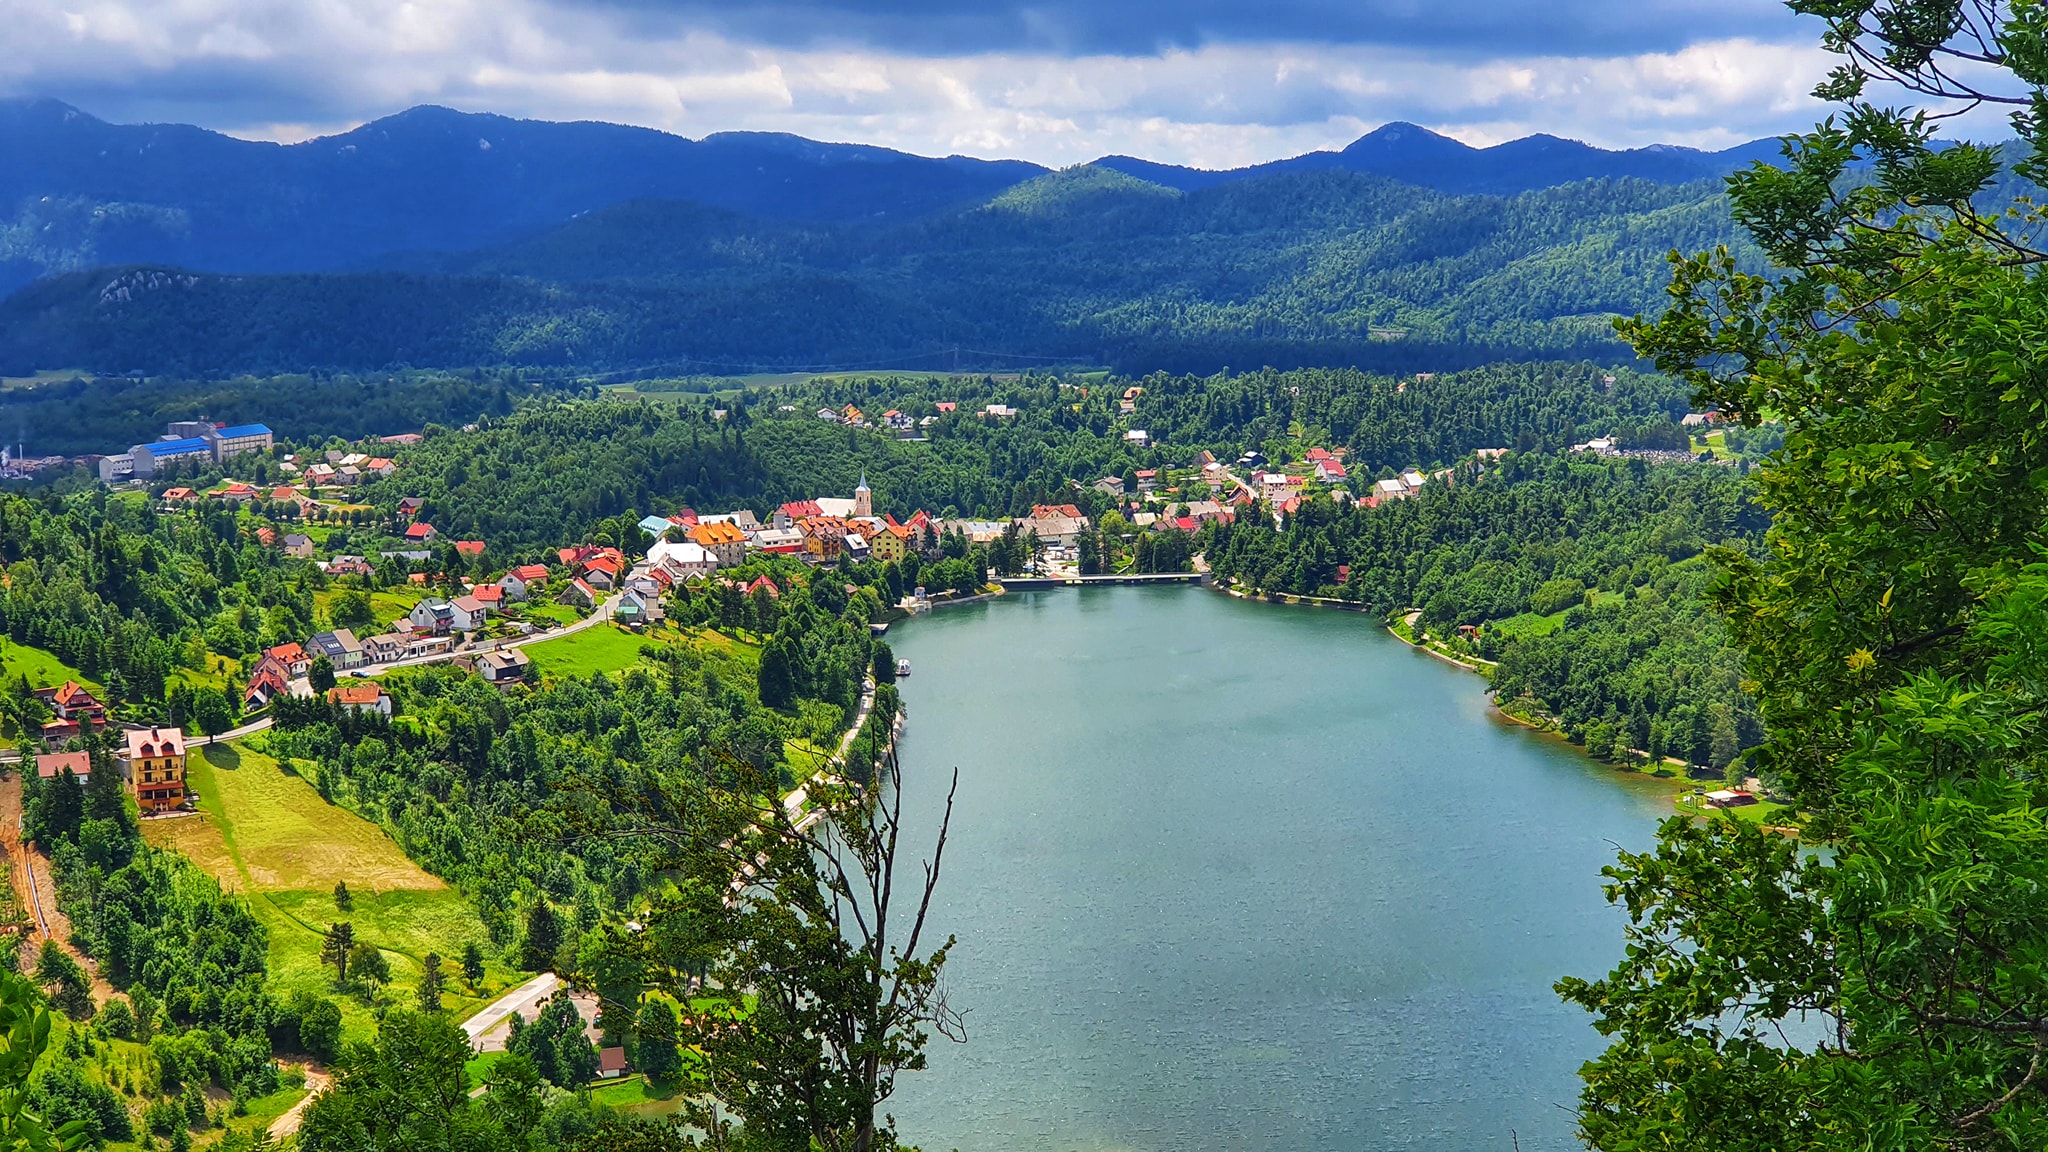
(484, 620)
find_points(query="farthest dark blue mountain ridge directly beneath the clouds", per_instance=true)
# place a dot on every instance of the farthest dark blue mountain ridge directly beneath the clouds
(81, 194)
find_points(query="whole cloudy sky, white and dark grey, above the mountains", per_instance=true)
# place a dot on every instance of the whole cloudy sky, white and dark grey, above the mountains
(1213, 83)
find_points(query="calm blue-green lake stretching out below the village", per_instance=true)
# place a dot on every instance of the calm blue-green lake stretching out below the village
(1234, 876)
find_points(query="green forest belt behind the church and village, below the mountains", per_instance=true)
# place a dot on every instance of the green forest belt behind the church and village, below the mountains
(554, 470)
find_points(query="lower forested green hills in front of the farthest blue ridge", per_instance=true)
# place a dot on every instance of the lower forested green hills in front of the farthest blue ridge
(1089, 265)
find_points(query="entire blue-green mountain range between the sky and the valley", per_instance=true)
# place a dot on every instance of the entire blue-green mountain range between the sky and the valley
(456, 239)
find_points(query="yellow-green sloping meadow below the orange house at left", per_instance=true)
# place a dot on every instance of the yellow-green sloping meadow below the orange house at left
(267, 833)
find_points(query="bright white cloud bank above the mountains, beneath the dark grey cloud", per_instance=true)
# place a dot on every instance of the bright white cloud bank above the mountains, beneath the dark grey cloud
(292, 69)
